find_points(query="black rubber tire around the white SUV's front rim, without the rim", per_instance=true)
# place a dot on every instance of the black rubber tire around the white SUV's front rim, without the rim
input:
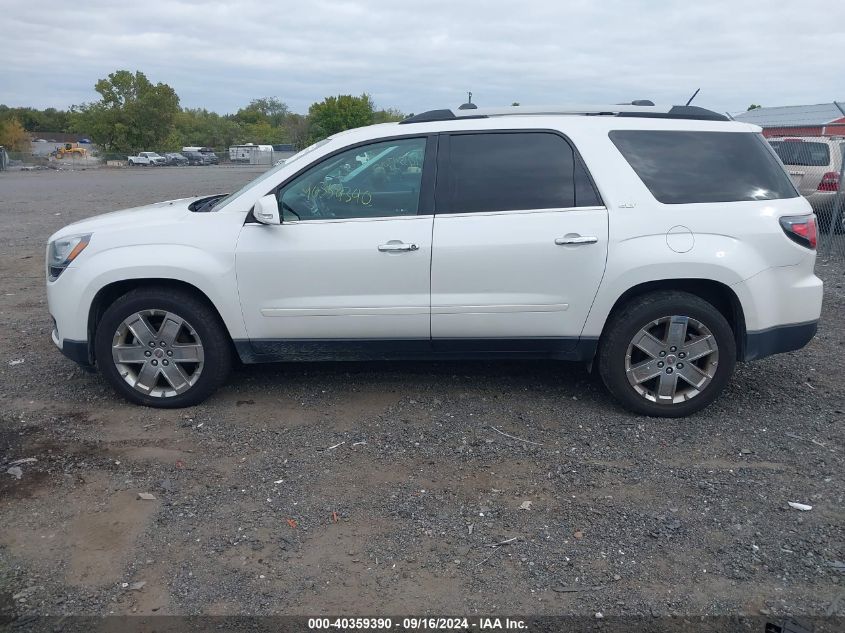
(203, 320)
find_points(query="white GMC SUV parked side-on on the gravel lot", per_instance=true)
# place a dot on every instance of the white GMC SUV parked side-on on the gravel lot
(659, 245)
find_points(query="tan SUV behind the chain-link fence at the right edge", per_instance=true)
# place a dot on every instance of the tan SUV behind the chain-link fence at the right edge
(814, 164)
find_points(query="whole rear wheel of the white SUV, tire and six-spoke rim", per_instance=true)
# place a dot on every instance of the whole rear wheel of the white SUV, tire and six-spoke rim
(667, 354)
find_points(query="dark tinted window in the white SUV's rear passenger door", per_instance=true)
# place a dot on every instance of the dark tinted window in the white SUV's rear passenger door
(515, 171)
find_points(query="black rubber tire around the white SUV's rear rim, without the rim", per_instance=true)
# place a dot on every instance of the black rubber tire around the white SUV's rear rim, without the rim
(637, 315)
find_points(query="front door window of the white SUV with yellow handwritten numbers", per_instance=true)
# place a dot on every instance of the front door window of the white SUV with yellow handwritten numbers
(378, 180)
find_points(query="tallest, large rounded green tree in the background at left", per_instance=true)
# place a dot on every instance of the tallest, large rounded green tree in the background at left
(132, 114)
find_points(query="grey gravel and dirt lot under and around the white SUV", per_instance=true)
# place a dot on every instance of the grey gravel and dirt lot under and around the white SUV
(380, 488)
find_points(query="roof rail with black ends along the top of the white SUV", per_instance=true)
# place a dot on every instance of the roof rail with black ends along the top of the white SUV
(621, 109)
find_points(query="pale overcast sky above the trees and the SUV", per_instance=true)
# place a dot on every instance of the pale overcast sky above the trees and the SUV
(421, 55)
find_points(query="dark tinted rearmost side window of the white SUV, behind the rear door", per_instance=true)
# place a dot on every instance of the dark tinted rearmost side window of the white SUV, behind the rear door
(689, 167)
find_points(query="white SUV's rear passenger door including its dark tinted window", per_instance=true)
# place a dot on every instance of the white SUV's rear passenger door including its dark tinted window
(519, 243)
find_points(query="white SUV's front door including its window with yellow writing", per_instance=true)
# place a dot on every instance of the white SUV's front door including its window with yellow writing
(348, 270)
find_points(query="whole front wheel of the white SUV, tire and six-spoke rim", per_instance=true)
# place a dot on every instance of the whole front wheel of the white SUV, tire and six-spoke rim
(161, 348)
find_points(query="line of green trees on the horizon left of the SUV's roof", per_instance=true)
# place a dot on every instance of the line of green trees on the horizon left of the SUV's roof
(133, 114)
